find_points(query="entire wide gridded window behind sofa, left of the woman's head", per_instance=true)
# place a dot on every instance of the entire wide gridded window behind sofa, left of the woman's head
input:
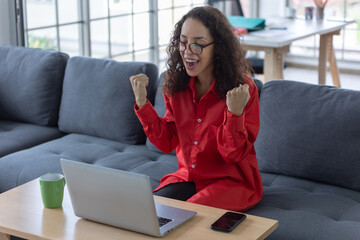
(124, 30)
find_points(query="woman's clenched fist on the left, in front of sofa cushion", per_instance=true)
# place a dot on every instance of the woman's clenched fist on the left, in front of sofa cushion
(139, 83)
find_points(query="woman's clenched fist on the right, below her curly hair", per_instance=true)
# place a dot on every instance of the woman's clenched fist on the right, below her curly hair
(237, 98)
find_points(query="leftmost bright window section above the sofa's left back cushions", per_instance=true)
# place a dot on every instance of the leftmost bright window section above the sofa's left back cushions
(52, 24)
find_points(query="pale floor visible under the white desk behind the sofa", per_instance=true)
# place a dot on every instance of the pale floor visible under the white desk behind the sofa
(347, 80)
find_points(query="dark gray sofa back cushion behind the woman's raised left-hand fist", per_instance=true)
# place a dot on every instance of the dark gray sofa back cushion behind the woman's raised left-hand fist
(98, 99)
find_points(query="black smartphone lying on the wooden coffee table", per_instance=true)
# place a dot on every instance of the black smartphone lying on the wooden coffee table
(228, 221)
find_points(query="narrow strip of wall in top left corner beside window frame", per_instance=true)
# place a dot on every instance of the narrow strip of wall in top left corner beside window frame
(7, 22)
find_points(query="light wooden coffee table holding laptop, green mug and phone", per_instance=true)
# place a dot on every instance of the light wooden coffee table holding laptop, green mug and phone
(22, 214)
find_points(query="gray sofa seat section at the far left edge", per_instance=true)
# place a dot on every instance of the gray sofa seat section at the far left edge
(15, 136)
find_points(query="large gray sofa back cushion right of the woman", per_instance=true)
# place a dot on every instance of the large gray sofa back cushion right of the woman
(310, 131)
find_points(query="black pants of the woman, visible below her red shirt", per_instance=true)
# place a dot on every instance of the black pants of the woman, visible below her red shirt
(180, 191)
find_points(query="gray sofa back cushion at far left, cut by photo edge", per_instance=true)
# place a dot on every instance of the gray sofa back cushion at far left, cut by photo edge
(30, 84)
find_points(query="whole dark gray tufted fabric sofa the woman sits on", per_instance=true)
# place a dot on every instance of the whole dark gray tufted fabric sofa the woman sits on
(308, 147)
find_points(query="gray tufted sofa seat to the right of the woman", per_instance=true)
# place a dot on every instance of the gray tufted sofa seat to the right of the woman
(309, 210)
